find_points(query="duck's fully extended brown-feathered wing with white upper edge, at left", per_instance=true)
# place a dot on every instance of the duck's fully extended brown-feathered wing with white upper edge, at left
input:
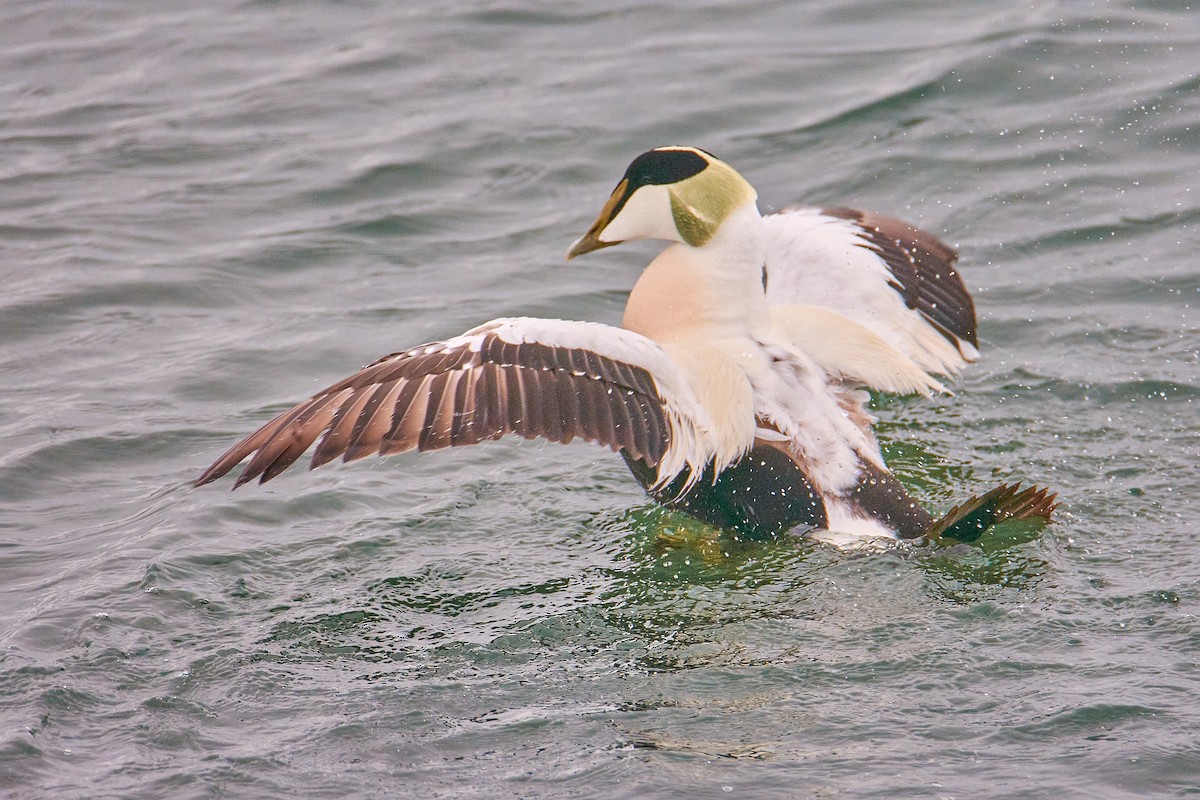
(532, 377)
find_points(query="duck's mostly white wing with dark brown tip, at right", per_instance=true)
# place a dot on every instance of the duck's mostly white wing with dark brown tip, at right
(895, 280)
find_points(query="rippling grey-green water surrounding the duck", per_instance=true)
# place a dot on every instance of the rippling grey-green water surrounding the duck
(207, 213)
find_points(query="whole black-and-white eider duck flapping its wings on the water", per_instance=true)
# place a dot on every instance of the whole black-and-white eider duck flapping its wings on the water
(737, 387)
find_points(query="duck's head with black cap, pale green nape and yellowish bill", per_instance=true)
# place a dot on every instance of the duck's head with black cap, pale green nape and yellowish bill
(681, 195)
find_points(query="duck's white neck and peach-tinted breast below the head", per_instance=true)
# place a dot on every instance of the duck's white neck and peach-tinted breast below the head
(715, 291)
